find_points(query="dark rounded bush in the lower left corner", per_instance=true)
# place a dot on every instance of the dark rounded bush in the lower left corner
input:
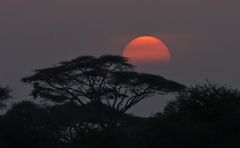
(26, 125)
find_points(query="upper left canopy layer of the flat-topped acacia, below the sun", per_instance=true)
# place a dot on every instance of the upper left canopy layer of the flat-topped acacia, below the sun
(81, 66)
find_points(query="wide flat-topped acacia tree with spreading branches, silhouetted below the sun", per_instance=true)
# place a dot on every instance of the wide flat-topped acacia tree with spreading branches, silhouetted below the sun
(107, 80)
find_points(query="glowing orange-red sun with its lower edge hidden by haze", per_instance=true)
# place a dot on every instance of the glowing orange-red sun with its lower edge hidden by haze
(147, 49)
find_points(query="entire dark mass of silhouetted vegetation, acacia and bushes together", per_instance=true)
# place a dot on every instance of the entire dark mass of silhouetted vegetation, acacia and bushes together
(86, 103)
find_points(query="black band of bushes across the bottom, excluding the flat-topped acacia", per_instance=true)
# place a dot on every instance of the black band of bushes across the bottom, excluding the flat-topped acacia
(204, 116)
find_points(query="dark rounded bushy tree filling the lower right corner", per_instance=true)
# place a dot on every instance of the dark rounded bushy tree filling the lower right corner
(202, 116)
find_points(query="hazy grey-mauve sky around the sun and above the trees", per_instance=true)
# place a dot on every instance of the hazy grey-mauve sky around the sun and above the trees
(202, 35)
